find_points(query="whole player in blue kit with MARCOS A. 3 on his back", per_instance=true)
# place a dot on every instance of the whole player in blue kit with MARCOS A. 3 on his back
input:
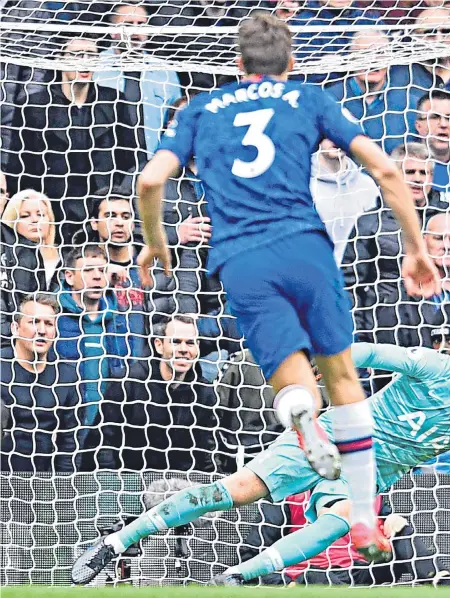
(272, 251)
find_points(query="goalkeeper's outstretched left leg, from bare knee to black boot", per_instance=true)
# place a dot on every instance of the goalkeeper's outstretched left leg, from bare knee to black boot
(239, 489)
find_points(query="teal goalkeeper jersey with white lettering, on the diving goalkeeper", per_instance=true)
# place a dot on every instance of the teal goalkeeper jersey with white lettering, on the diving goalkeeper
(412, 413)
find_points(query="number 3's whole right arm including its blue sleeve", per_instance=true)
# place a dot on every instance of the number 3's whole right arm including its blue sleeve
(419, 273)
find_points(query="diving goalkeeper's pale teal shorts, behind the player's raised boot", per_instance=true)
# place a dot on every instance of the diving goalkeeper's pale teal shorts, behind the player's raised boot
(285, 470)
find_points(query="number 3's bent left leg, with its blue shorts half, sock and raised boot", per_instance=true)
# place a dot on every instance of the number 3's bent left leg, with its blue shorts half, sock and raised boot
(278, 341)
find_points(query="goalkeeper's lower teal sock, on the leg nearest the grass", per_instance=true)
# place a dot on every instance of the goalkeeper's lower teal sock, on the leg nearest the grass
(295, 548)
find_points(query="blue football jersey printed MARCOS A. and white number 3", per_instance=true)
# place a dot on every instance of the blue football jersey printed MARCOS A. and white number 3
(252, 143)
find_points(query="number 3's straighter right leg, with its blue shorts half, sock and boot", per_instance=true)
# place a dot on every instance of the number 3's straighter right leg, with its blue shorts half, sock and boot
(324, 309)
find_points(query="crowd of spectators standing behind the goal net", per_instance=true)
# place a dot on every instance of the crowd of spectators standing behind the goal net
(136, 374)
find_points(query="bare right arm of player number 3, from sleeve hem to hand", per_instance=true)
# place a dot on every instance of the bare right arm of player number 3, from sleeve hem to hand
(419, 272)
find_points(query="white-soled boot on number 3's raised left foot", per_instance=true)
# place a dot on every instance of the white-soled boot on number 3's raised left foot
(322, 455)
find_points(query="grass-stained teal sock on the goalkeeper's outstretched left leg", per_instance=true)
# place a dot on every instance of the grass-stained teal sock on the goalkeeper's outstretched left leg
(181, 508)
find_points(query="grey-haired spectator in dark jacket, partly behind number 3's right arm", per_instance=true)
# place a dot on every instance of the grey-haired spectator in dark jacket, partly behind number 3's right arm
(371, 262)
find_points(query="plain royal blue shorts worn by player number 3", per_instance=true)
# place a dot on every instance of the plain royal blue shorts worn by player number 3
(289, 296)
